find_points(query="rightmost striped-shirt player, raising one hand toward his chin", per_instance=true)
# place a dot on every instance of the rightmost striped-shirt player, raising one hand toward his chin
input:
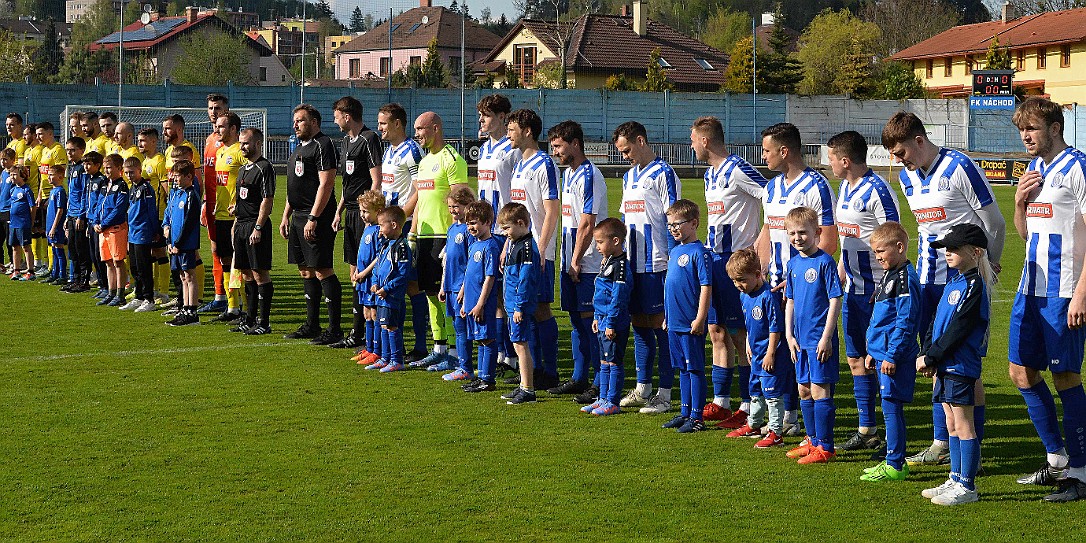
(1047, 321)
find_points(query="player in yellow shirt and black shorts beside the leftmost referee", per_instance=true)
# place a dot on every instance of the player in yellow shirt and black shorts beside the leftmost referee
(229, 162)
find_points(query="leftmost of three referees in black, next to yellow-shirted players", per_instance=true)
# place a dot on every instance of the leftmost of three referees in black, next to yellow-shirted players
(252, 233)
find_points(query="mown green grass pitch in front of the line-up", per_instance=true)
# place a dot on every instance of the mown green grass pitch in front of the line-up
(116, 427)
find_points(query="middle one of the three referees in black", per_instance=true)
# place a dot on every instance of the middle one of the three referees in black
(308, 225)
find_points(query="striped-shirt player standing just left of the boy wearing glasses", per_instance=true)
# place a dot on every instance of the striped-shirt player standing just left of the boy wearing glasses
(649, 190)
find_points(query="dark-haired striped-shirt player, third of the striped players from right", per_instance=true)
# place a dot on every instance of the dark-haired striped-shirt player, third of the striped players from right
(864, 203)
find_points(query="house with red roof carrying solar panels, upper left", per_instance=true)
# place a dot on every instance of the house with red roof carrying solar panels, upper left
(161, 43)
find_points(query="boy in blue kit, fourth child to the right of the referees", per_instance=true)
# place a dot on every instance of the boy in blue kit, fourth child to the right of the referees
(478, 295)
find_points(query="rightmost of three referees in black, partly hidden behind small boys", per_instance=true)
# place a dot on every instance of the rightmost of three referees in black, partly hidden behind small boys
(361, 168)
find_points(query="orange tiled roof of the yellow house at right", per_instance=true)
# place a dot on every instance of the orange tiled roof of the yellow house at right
(1042, 30)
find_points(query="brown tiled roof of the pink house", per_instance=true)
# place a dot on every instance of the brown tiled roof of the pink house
(409, 32)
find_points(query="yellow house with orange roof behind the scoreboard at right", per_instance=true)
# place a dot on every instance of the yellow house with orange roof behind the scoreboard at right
(1049, 54)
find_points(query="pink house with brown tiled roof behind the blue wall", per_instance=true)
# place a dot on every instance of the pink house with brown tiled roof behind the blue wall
(368, 57)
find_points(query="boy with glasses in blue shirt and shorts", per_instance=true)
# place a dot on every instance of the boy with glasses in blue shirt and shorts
(688, 292)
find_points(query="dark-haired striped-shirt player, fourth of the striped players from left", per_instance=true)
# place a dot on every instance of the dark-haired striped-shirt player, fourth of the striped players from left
(584, 207)
